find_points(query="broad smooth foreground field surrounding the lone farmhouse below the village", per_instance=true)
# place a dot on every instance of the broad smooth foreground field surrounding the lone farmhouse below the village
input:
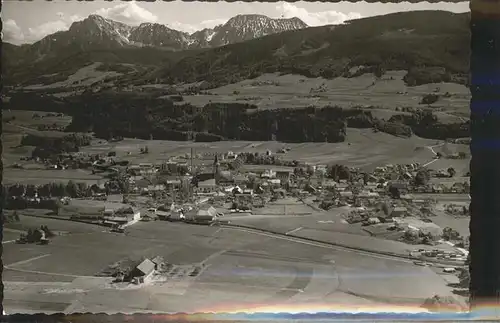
(242, 266)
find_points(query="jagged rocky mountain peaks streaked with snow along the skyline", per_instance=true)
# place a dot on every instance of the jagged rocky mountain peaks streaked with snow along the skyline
(96, 32)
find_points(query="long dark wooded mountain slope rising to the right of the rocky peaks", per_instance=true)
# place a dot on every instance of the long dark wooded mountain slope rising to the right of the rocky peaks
(396, 41)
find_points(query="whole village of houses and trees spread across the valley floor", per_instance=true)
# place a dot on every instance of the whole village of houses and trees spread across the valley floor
(392, 202)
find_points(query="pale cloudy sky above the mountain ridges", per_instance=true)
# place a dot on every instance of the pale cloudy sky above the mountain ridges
(30, 21)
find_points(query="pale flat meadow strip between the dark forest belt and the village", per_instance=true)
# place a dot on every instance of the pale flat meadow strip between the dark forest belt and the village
(365, 149)
